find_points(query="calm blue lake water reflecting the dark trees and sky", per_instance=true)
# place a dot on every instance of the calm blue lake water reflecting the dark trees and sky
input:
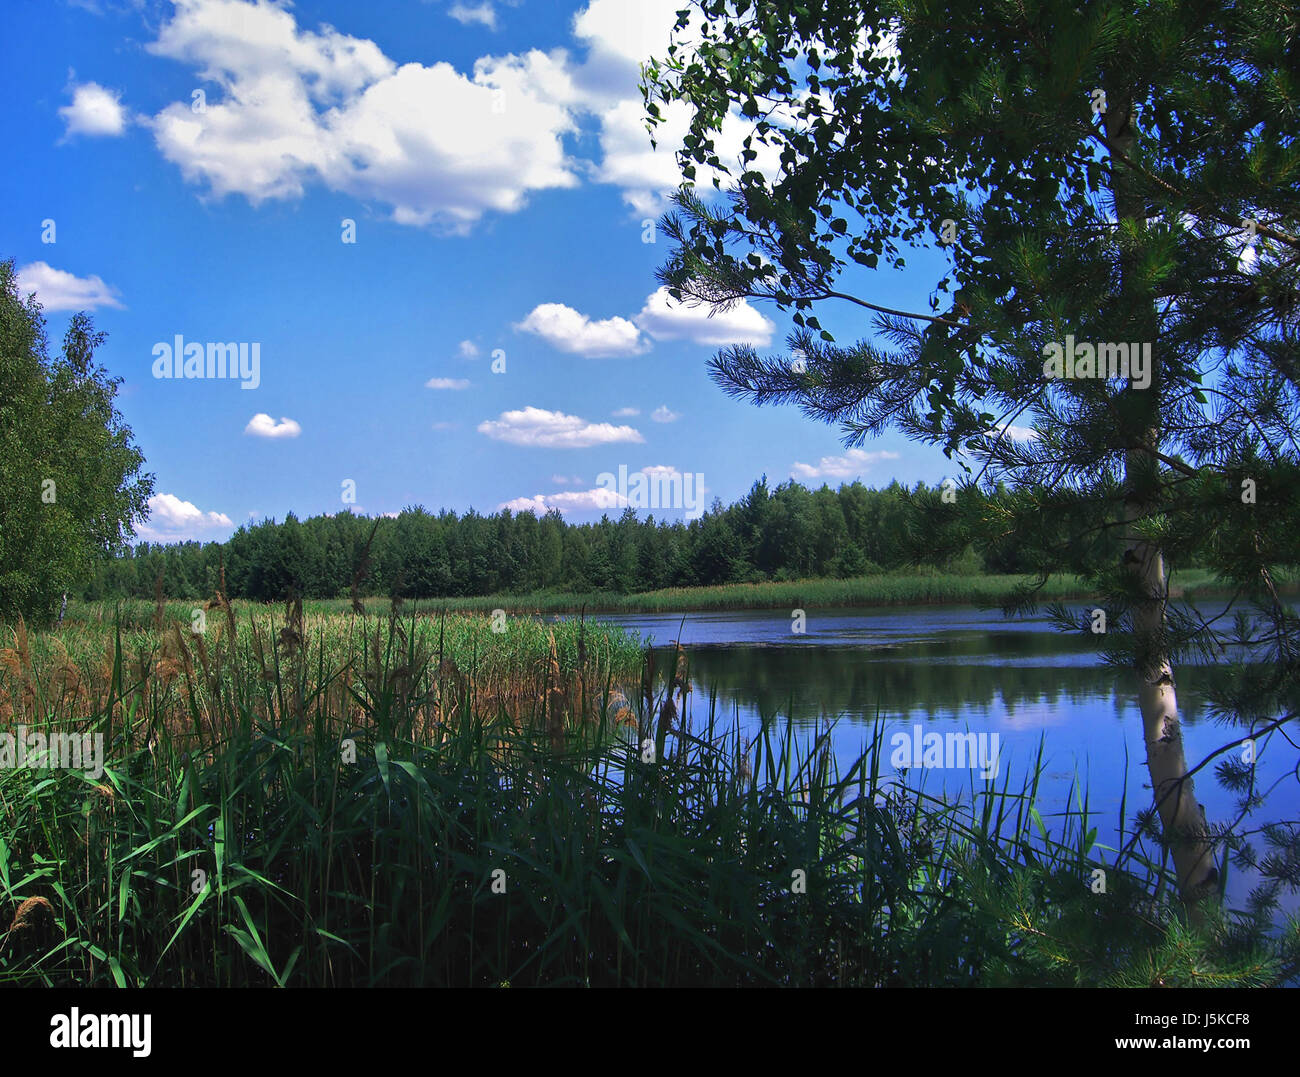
(960, 669)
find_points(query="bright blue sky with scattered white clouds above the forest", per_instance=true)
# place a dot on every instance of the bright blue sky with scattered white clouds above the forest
(198, 162)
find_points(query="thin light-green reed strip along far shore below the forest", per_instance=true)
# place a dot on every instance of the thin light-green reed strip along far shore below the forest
(915, 589)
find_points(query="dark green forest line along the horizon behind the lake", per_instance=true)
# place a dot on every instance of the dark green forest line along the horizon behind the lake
(783, 534)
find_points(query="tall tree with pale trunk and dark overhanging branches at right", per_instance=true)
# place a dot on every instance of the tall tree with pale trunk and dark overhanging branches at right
(1112, 175)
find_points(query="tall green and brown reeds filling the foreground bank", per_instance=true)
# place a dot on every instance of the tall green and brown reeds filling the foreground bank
(543, 808)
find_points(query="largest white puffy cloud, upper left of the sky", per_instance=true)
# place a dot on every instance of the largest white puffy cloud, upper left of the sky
(294, 107)
